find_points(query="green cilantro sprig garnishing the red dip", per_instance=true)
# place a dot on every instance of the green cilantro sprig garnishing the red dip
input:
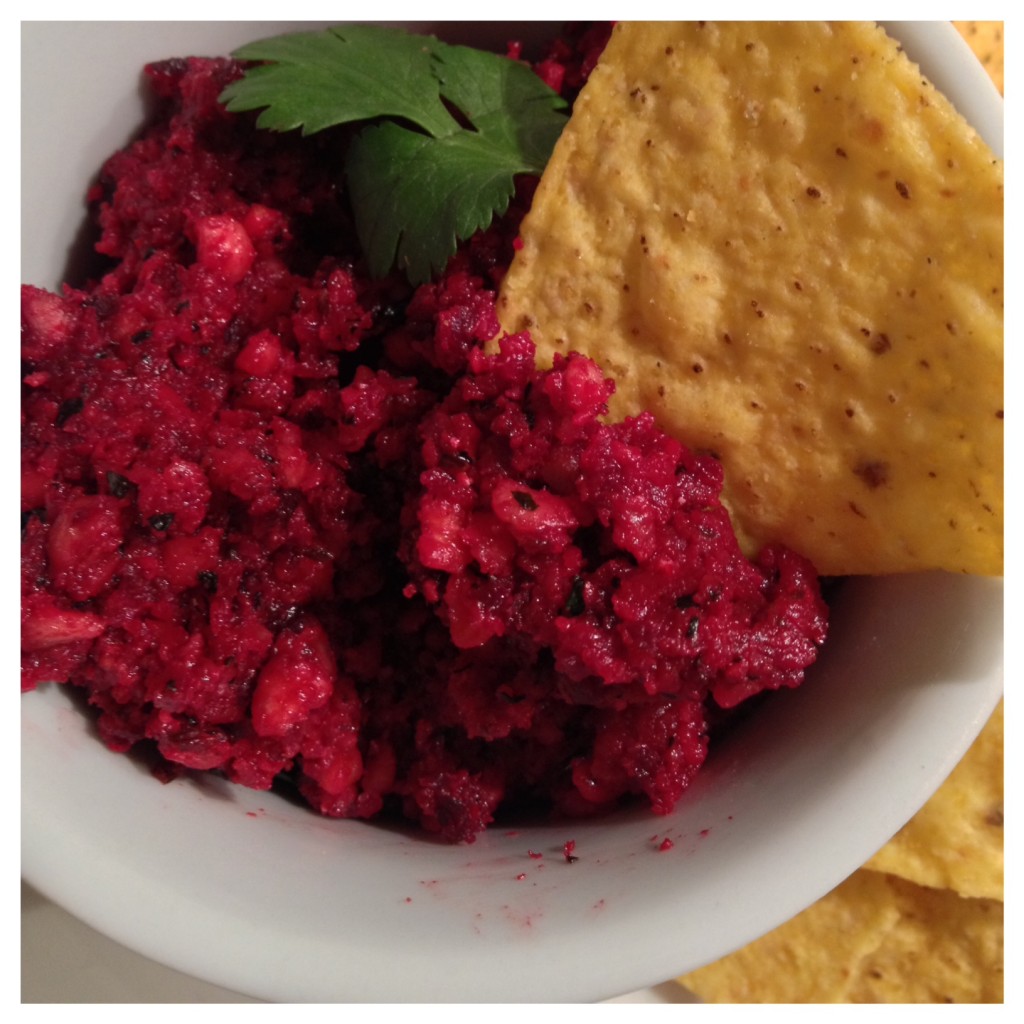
(448, 130)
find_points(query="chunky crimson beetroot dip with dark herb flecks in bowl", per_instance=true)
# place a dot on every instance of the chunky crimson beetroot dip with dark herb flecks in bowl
(298, 528)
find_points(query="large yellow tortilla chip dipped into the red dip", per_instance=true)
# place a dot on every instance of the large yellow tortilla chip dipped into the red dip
(788, 246)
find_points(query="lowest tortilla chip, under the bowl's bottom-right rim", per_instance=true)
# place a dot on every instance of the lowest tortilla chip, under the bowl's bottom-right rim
(873, 940)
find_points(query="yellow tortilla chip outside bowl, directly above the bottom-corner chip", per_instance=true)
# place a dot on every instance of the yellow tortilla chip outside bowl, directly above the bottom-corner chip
(956, 840)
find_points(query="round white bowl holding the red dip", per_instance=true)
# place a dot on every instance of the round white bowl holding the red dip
(255, 894)
